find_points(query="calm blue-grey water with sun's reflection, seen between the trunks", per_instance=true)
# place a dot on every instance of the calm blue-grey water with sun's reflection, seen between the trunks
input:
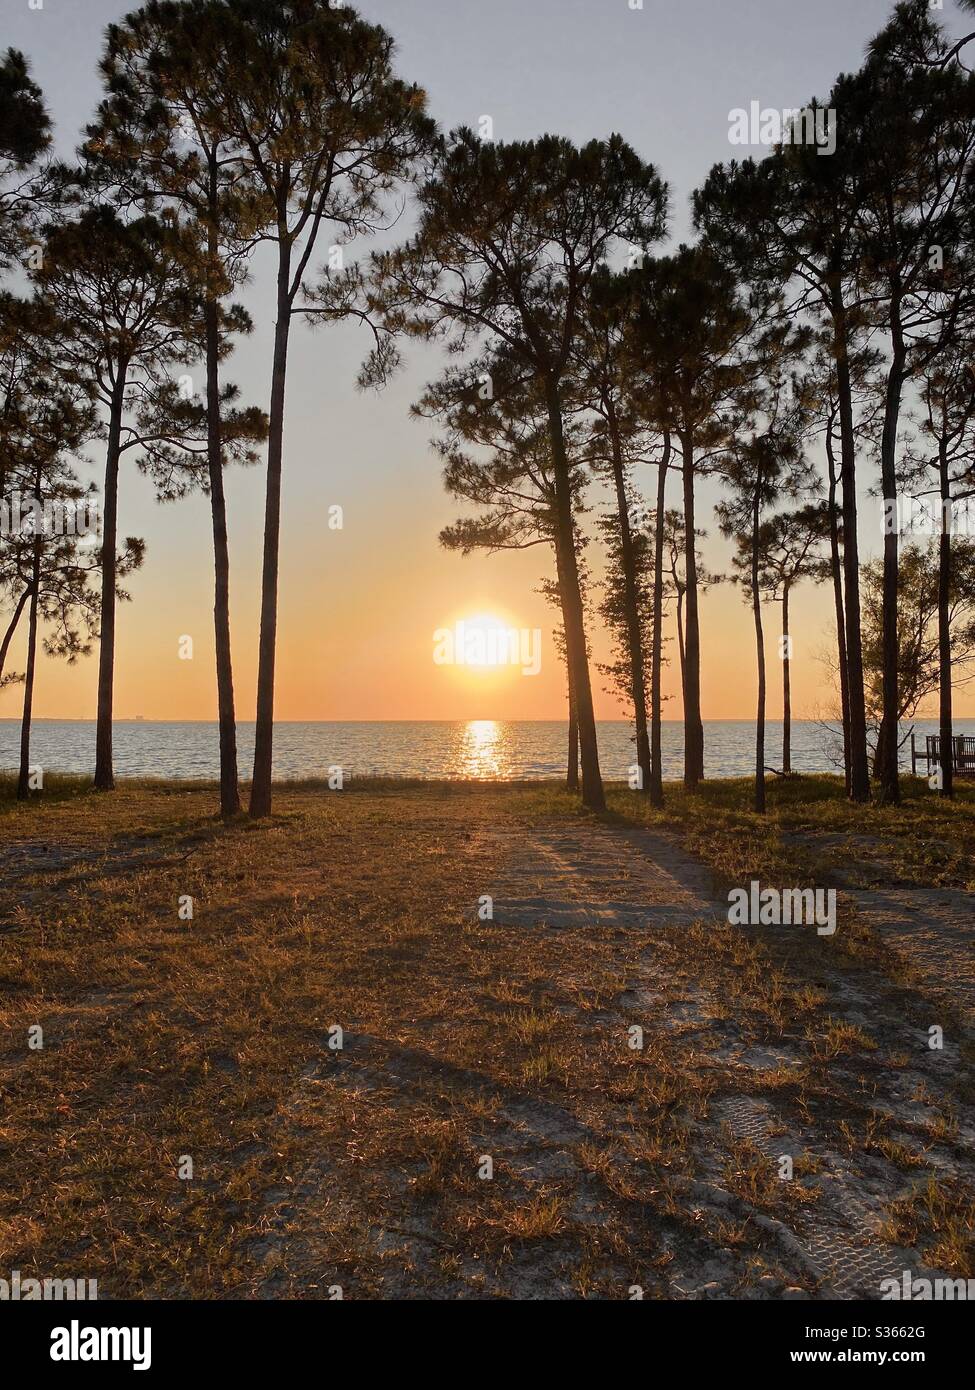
(479, 750)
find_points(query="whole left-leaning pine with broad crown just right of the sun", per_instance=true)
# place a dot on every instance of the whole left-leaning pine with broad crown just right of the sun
(510, 240)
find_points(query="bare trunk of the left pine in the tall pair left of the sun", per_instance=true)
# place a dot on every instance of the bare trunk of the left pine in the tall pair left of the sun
(230, 797)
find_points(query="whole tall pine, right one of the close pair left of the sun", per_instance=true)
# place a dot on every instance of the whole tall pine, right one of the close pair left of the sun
(304, 95)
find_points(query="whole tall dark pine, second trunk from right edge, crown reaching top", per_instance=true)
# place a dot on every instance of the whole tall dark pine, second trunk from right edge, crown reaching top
(913, 124)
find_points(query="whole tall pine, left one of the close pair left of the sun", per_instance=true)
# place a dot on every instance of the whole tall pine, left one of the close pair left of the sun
(156, 144)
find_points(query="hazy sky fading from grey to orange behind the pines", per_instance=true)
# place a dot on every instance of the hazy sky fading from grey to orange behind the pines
(360, 607)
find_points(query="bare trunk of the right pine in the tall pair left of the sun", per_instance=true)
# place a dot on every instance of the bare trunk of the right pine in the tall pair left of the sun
(261, 792)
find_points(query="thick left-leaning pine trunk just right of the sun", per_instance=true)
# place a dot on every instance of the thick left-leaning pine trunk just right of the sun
(572, 608)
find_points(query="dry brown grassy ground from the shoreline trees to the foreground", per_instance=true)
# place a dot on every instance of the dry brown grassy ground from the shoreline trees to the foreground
(315, 1168)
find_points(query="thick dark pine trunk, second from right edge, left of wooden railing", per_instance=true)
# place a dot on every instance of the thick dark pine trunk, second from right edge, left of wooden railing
(887, 749)
